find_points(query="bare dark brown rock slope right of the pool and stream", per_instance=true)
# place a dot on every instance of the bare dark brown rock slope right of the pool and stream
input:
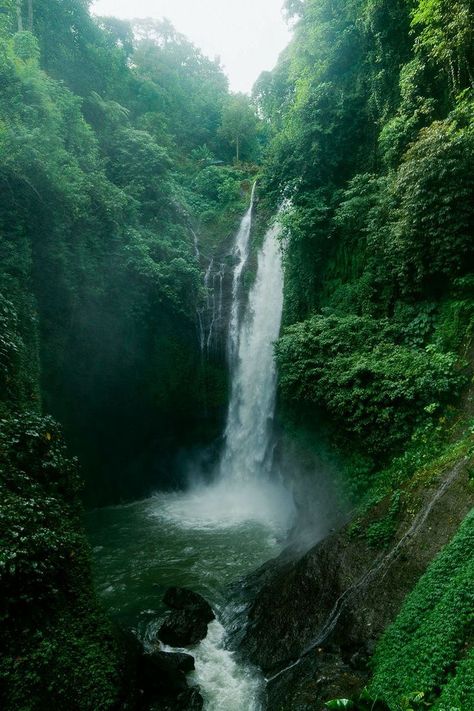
(315, 620)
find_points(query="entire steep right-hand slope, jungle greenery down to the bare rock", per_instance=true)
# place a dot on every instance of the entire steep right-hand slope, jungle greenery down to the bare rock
(371, 108)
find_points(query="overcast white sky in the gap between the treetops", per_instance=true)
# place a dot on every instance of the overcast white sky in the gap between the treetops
(248, 35)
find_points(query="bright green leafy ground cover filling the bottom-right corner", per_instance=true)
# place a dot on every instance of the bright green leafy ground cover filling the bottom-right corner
(427, 647)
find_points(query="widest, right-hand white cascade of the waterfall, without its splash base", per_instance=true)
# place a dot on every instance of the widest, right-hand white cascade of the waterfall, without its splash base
(248, 435)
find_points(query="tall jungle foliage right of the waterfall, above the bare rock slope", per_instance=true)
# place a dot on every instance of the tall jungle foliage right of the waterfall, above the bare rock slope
(371, 112)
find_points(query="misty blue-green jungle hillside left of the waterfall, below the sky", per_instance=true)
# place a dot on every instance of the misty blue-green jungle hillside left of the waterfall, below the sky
(116, 144)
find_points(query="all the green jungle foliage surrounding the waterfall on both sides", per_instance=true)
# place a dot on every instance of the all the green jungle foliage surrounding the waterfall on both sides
(119, 143)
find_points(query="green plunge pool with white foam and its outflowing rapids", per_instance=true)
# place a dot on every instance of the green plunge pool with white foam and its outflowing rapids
(204, 539)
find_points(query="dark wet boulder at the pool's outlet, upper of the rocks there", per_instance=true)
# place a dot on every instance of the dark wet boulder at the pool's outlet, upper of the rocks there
(187, 624)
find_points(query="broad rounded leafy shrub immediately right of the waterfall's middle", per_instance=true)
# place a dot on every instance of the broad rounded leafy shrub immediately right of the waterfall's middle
(373, 388)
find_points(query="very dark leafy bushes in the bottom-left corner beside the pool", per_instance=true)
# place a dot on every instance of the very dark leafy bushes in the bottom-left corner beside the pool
(58, 650)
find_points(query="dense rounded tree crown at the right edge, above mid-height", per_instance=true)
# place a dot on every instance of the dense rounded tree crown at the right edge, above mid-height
(428, 235)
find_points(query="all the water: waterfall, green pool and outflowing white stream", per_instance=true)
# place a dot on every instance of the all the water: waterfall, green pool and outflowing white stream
(211, 535)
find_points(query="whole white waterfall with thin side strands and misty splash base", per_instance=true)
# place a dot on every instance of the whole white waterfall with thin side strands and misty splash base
(246, 485)
